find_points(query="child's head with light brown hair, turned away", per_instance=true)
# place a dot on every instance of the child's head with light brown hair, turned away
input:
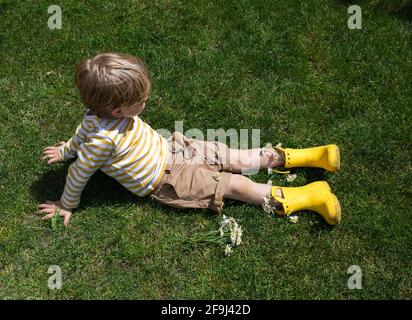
(113, 85)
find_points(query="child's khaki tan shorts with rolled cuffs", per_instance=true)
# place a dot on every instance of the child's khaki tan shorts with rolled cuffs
(196, 175)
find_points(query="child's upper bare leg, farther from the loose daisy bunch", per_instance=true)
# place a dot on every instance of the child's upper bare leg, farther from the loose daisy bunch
(241, 159)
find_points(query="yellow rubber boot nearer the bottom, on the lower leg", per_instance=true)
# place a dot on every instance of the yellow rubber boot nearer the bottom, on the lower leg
(315, 196)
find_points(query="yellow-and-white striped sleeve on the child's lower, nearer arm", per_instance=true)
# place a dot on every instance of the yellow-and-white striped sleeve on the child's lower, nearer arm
(91, 156)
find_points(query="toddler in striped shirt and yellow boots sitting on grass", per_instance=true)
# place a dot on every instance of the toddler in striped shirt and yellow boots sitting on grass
(177, 171)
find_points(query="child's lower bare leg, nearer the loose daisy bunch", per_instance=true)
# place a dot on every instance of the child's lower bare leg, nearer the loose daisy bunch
(243, 189)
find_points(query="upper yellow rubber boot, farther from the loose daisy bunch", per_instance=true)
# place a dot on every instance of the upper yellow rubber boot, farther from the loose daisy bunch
(326, 157)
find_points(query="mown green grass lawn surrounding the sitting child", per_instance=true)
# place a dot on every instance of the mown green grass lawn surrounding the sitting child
(292, 69)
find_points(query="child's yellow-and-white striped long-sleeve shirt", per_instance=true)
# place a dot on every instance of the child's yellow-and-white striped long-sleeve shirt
(126, 149)
